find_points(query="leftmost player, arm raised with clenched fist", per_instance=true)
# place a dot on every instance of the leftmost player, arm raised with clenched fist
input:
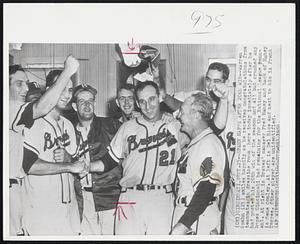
(21, 116)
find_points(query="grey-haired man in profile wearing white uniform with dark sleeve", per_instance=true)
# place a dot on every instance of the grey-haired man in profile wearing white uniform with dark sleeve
(200, 171)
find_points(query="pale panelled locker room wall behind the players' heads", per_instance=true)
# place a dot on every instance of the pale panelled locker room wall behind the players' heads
(98, 64)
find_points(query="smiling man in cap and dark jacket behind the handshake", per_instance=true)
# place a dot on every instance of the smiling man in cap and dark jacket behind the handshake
(97, 192)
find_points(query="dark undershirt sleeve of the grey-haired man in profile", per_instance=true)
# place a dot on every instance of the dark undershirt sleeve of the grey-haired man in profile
(201, 198)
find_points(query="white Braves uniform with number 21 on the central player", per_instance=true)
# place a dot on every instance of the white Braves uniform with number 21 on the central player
(148, 152)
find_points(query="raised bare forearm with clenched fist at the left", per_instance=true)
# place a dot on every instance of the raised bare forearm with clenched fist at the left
(51, 96)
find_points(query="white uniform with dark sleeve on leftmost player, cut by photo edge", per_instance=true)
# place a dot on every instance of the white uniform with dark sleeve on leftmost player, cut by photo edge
(20, 116)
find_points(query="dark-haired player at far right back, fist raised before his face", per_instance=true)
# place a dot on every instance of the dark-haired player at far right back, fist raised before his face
(221, 90)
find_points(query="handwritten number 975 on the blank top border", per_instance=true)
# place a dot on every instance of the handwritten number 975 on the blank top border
(199, 18)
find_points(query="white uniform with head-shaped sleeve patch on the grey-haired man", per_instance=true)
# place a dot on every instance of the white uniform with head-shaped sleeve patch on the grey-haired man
(204, 160)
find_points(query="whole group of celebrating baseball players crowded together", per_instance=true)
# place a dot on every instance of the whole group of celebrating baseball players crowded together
(147, 173)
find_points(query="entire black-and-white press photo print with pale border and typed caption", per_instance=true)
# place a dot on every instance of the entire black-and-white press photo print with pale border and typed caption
(130, 137)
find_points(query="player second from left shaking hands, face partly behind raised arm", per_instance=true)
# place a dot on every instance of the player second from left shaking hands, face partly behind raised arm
(50, 206)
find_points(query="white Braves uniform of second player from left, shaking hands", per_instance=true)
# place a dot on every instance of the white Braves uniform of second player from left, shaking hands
(50, 207)
